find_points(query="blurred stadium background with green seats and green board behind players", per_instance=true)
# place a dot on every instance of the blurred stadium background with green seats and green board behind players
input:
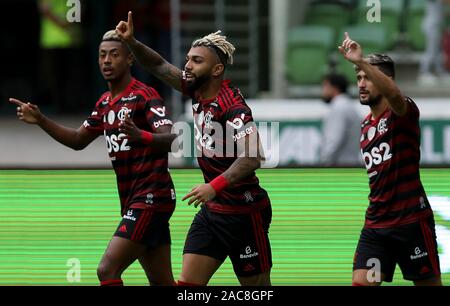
(284, 47)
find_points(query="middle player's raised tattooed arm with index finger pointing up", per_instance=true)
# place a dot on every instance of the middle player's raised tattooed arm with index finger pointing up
(152, 61)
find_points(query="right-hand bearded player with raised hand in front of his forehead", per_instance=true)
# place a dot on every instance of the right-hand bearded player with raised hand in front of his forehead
(399, 226)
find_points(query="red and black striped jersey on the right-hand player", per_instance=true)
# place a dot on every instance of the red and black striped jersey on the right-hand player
(390, 146)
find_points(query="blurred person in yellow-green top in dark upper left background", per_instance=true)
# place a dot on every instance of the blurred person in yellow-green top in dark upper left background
(62, 57)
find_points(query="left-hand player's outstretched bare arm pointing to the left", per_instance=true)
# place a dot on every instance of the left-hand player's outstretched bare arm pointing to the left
(76, 139)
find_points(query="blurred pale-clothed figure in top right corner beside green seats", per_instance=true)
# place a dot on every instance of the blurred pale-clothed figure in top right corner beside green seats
(432, 67)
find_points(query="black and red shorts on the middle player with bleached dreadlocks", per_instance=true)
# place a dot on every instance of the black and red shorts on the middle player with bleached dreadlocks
(242, 237)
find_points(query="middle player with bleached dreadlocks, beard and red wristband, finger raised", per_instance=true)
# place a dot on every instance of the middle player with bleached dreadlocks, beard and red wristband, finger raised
(236, 213)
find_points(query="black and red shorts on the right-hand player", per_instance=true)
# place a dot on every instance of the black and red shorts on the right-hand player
(413, 247)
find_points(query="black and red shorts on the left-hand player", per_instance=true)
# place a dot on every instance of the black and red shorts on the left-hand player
(146, 226)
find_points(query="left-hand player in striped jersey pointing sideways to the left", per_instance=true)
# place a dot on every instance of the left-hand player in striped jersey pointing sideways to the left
(136, 126)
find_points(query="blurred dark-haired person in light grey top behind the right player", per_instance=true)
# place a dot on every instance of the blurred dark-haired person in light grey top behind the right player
(341, 127)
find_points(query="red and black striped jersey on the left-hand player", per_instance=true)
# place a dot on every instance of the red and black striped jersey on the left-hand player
(143, 177)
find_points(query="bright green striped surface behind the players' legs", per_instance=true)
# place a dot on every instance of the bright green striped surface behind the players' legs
(49, 217)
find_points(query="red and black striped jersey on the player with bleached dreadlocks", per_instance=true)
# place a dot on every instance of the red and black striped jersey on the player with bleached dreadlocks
(220, 128)
